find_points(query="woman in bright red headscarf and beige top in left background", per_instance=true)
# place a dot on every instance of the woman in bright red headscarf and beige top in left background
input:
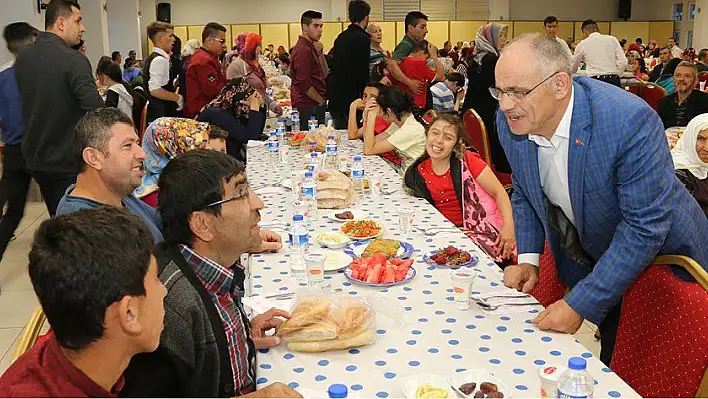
(246, 65)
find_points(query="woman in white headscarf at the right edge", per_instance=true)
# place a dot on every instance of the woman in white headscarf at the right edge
(691, 159)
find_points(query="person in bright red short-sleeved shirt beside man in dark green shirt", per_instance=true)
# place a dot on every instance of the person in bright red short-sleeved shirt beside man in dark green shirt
(422, 65)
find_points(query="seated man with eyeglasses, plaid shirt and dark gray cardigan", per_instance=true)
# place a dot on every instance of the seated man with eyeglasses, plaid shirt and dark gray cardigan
(208, 347)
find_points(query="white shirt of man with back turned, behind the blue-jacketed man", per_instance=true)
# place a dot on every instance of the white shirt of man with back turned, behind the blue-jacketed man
(602, 54)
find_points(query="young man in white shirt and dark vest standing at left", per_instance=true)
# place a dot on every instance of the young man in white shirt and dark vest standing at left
(156, 73)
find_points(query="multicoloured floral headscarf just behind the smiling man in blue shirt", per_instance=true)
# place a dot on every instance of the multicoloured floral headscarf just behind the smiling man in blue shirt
(163, 140)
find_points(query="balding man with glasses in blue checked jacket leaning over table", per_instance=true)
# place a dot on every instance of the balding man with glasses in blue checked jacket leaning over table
(593, 174)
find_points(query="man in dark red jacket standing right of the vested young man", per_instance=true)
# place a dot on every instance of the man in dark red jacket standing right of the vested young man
(205, 78)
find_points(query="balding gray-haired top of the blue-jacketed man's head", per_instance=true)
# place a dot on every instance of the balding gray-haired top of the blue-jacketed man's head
(548, 54)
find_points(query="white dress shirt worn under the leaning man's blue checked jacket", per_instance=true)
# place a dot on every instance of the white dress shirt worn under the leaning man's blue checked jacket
(553, 170)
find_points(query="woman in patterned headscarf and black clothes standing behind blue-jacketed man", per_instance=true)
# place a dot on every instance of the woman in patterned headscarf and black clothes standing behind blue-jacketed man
(490, 39)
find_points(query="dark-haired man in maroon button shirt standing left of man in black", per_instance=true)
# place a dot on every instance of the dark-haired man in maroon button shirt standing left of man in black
(308, 90)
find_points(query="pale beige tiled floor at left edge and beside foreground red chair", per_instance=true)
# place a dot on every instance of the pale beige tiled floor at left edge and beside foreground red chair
(17, 299)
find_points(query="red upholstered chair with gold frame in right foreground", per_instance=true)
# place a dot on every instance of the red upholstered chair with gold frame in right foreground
(662, 339)
